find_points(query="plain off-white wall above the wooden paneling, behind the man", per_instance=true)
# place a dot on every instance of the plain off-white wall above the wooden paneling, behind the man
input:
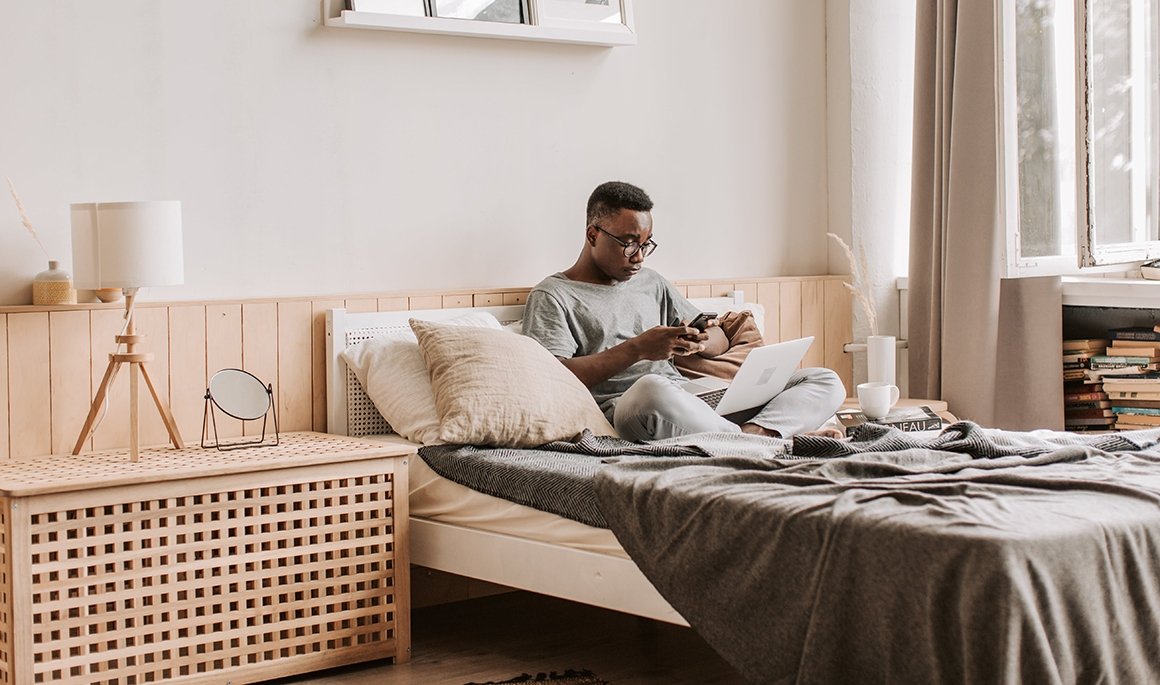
(314, 161)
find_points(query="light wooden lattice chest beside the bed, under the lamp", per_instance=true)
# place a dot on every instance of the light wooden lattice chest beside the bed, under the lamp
(200, 566)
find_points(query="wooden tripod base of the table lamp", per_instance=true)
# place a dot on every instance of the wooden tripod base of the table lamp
(137, 370)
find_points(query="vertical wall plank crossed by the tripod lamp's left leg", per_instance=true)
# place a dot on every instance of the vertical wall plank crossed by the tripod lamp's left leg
(113, 420)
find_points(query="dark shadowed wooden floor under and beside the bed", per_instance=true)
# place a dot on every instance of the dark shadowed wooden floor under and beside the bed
(505, 636)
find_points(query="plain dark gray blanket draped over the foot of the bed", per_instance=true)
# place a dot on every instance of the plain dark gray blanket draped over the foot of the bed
(984, 557)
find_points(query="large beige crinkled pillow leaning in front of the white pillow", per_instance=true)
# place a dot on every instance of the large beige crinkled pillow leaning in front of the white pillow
(495, 388)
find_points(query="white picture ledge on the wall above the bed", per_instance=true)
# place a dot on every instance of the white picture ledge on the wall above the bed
(337, 16)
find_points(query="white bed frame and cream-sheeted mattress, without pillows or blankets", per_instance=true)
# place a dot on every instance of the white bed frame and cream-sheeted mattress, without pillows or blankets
(468, 534)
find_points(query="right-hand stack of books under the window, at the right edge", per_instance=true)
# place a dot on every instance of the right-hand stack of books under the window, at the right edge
(1135, 392)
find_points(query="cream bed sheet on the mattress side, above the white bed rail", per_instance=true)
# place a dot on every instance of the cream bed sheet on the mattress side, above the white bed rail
(434, 498)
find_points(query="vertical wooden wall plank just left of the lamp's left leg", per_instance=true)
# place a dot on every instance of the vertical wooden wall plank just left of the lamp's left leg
(69, 377)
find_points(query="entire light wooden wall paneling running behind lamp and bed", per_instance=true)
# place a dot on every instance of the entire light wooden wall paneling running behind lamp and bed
(284, 342)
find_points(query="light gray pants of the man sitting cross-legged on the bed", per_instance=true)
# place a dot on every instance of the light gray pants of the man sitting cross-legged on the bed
(656, 407)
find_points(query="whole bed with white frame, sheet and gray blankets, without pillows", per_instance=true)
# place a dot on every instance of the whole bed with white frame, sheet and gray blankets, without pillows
(963, 556)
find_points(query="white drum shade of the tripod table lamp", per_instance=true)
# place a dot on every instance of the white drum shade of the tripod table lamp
(127, 245)
